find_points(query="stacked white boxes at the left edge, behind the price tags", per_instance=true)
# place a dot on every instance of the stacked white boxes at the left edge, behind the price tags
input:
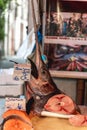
(8, 86)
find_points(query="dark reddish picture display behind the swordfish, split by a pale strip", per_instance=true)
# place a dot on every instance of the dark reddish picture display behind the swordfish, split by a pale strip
(66, 35)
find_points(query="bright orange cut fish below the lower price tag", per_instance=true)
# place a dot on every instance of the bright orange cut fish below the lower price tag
(16, 119)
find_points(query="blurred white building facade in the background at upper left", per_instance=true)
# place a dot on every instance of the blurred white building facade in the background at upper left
(16, 22)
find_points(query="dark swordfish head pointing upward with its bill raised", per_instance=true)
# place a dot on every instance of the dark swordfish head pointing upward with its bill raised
(41, 82)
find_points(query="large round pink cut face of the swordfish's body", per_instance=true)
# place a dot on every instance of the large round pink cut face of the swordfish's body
(60, 103)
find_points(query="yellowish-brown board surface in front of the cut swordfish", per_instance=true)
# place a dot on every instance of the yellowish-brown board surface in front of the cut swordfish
(53, 123)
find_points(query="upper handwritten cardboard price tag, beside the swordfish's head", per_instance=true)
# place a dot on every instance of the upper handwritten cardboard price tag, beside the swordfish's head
(22, 72)
